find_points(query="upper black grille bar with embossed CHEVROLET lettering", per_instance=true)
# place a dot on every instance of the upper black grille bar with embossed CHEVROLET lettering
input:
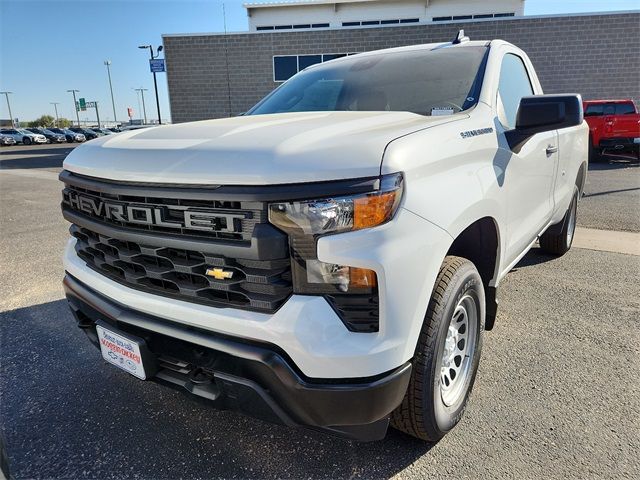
(159, 214)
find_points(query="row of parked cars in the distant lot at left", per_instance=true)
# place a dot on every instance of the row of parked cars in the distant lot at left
(29, 136)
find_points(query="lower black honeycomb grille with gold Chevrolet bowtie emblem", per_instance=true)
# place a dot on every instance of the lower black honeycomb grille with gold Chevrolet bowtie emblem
(259, 285)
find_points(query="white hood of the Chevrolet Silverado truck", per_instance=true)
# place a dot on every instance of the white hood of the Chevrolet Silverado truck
(251, 150)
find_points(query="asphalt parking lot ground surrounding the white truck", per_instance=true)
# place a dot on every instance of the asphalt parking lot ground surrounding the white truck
(556, 394)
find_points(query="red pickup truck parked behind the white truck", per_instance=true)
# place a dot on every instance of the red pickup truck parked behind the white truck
(614, 127)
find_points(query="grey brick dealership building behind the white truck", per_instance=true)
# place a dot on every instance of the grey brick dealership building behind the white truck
(212, 75)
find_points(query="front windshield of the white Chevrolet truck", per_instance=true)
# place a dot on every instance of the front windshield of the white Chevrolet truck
(428, 82)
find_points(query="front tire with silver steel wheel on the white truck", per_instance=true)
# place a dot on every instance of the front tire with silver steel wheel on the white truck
(435, 401)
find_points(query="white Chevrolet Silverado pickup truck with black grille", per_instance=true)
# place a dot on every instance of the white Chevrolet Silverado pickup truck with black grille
(330, 259)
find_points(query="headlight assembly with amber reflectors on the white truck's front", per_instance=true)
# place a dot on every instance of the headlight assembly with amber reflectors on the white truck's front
(351, 291)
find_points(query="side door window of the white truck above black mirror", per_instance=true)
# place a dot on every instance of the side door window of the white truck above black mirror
(514, 84)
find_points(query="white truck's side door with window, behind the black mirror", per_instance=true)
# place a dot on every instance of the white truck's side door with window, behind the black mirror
(529, 174)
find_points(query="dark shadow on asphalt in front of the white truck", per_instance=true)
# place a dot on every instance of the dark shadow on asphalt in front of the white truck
(66, 413)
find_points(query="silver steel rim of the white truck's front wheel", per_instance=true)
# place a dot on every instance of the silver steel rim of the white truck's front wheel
(458, 350)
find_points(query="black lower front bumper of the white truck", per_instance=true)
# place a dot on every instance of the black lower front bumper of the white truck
(252, 377)
